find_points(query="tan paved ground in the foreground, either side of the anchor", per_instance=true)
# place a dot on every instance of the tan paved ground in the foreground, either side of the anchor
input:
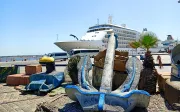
(14, 102)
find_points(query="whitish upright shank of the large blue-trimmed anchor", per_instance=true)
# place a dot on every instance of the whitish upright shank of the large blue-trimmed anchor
(106, 83)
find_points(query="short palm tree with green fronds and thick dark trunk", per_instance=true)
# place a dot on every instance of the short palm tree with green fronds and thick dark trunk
(148, 77)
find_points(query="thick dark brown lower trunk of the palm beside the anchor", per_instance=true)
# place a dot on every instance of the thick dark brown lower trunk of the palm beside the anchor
(148, 80)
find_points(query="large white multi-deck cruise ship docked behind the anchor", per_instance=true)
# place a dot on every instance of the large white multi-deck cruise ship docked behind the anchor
(96, 37)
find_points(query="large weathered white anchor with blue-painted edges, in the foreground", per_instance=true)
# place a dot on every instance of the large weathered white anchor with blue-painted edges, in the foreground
(125, 98)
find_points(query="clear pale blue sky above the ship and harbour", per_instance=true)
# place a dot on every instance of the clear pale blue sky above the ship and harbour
(30, 26)
